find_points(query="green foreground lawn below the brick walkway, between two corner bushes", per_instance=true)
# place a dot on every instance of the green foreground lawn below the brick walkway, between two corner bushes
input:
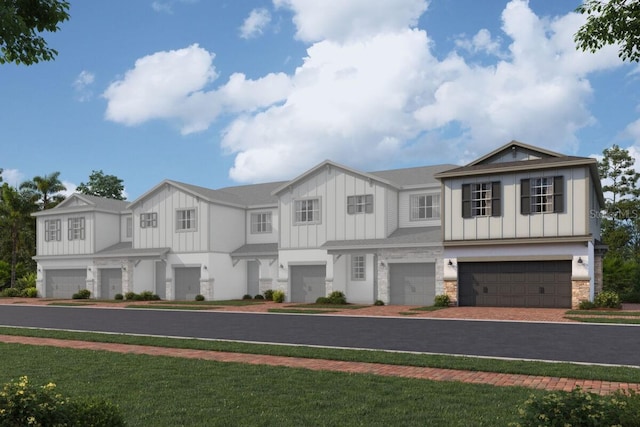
(164, 391)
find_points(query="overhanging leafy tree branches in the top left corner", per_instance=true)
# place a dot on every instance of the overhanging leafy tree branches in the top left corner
(22, 21)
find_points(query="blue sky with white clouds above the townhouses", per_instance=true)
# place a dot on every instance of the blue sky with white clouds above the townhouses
(219, 93)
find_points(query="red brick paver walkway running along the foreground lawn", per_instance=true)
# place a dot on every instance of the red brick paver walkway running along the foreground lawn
(434, 374)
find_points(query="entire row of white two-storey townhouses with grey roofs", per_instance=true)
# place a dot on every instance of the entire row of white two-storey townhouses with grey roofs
(517, 227)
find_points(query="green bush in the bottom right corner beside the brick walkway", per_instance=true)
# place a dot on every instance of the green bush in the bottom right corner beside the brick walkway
(580, 408)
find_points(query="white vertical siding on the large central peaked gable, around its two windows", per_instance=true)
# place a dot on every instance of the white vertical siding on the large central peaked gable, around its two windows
(332, 186)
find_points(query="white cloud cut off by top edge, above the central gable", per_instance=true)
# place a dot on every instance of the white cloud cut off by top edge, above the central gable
(341, 20)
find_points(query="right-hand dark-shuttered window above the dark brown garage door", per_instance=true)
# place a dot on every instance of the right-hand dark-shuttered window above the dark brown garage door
(542, 195)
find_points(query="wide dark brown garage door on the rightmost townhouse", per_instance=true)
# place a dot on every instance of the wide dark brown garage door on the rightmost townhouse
(515, 284)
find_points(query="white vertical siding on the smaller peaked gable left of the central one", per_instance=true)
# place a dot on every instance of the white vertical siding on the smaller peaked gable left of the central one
(166, 201)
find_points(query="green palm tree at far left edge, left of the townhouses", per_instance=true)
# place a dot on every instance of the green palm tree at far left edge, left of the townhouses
(16, 223)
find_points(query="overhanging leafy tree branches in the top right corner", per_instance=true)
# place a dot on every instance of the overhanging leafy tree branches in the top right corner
(611, 22)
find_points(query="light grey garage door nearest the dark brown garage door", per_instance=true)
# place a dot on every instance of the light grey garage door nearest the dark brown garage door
(412, 283)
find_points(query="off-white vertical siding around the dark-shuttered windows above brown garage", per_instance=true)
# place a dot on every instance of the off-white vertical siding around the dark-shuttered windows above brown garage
(512, 224)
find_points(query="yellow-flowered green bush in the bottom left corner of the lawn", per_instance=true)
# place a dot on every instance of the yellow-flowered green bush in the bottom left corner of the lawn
(23, 404)
